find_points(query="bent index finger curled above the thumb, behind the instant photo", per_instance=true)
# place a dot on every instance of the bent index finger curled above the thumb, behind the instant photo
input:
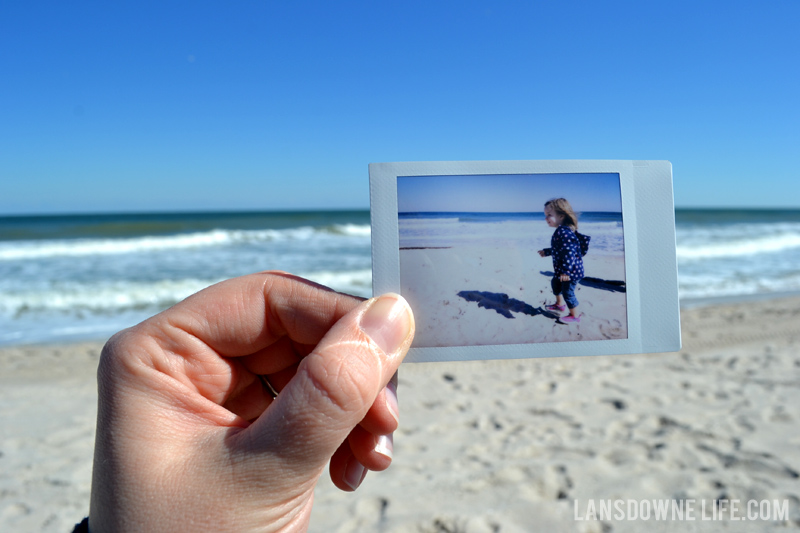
(243, 316)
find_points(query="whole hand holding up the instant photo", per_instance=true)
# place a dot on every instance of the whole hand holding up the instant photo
(188, 437)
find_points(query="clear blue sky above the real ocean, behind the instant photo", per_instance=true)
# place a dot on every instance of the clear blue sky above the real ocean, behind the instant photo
(153, 106)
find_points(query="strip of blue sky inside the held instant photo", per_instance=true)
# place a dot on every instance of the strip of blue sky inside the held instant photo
(507, 193)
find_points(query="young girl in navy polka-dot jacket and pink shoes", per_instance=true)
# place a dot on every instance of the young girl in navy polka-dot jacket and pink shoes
(566, 251)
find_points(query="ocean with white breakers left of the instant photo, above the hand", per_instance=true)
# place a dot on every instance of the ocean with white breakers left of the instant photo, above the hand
(86, 277)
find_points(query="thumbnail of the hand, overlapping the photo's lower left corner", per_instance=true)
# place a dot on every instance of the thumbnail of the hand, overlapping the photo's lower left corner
(388, 322)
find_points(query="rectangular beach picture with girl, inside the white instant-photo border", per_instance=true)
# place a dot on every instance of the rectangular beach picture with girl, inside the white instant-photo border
(513, 258)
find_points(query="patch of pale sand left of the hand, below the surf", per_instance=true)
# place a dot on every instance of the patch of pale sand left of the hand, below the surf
(48, 405)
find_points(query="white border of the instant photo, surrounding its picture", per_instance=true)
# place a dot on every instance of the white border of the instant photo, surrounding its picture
(651, 271)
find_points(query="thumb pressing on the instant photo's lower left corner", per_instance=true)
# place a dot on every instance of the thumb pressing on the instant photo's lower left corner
(338, 382)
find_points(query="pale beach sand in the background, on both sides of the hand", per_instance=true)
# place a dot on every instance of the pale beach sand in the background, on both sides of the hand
(494, 446)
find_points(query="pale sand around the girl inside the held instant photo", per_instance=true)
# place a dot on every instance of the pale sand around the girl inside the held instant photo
(431, 280)
